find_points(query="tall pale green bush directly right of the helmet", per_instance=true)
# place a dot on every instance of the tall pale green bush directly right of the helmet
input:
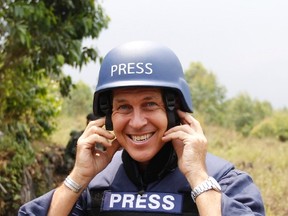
(207, 94)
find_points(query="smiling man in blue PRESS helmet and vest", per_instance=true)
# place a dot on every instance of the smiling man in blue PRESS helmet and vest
(163, 167)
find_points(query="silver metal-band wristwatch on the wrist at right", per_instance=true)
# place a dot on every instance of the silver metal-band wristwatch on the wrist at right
(209, 184)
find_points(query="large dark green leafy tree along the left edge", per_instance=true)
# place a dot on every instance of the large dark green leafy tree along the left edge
(37, 37)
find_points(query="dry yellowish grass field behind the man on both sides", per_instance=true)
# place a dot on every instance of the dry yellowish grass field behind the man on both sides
(264, 159)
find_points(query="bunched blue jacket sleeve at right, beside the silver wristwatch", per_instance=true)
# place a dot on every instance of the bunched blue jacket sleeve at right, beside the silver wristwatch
(240, 196)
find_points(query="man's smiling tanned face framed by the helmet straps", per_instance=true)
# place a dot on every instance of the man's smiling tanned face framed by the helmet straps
(139, 121)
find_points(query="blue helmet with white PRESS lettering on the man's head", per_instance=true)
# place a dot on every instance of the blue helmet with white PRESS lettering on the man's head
(141, 64)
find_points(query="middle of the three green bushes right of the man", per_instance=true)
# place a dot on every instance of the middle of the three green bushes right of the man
(243, 113)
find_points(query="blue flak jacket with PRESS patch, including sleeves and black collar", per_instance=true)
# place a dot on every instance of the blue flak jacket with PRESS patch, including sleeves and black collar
(121, 190)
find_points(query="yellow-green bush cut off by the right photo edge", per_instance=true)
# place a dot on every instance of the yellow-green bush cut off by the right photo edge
(274, 126)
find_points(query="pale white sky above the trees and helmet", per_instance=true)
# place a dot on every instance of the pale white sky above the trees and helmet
(243, 42)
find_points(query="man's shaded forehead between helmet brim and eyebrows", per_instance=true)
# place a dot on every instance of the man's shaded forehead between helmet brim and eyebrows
(136, 91)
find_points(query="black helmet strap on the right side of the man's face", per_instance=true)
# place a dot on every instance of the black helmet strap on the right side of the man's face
(170, 102)
